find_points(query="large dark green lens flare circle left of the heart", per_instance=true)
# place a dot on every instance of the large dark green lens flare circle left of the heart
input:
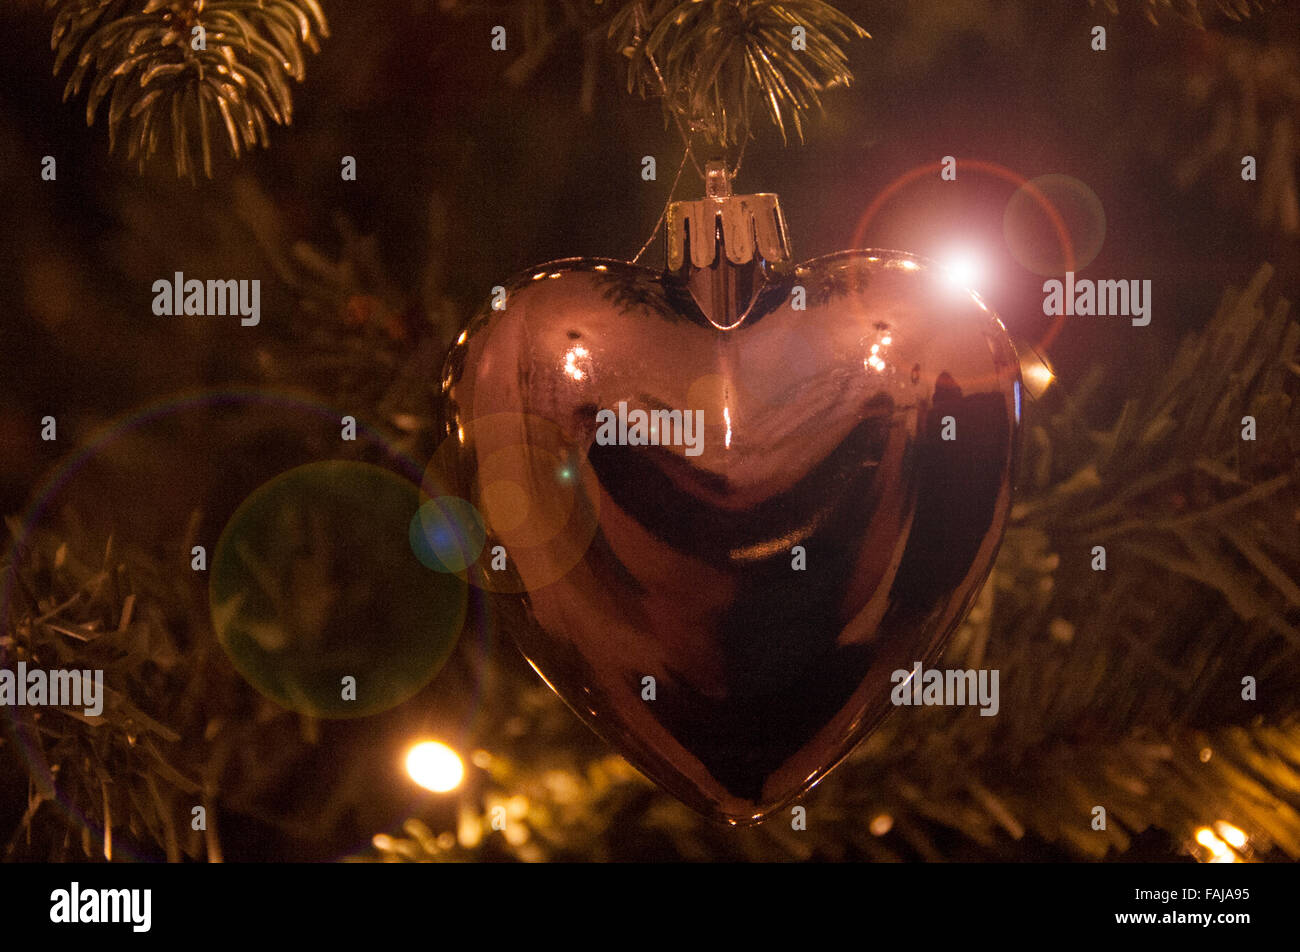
(314, 583)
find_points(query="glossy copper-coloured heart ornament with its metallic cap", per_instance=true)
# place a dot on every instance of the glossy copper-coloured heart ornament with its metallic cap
(764, 487)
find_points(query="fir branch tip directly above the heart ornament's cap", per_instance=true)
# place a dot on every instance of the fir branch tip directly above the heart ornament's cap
(718, 63)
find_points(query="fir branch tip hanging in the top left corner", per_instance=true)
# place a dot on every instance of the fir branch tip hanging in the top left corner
(142, 60)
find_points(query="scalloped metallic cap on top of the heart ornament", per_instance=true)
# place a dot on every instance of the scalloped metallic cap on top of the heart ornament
(752, 226)
